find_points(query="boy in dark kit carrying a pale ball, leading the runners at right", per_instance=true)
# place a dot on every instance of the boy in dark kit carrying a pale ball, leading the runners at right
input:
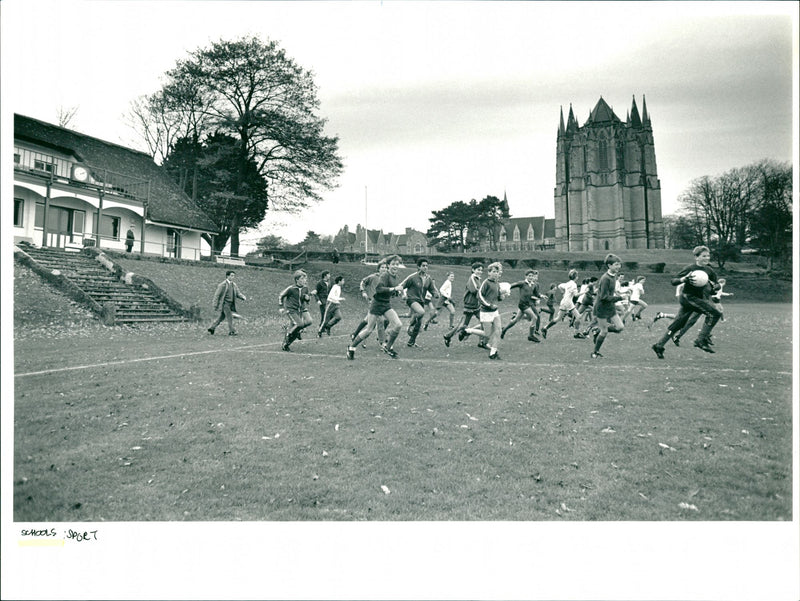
(693, 300)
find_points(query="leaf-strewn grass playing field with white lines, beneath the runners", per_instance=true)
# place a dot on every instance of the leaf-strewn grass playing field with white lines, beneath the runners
(169, 423)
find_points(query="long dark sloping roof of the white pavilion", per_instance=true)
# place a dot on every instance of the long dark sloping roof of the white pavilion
(168, 203)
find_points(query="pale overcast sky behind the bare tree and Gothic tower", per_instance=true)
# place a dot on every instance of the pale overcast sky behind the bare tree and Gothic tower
(435, 102)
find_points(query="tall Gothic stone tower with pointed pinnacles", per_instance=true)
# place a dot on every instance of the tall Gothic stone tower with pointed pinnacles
(607, 194)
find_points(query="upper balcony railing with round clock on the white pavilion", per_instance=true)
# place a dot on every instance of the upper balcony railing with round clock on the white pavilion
(98, 179)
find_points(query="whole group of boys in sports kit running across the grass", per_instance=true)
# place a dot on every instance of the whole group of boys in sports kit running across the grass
(596, 306)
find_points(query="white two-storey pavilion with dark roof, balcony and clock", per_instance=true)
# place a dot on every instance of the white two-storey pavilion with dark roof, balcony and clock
(72, 190)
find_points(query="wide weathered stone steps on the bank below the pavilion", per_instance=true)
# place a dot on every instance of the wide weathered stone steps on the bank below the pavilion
(134, 304)
